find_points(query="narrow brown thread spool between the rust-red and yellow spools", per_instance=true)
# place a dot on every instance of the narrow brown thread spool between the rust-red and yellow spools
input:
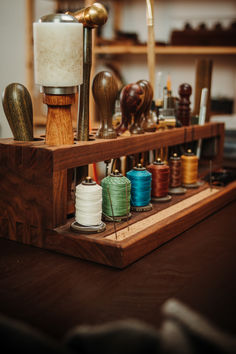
(175, 175)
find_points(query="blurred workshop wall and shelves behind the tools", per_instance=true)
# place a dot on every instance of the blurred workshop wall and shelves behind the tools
(185, 31)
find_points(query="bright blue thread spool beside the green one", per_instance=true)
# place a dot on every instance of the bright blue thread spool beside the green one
(141, 181)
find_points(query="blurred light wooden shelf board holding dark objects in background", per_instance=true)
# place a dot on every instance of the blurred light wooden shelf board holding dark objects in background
(142, 49)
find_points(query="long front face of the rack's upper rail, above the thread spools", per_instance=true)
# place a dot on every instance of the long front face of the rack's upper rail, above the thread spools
(101, 150)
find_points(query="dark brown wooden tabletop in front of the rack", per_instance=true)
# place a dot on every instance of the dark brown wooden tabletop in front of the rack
(53, 292)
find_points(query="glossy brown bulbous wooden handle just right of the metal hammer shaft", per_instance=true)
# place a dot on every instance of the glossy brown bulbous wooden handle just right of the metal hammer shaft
(105, 91)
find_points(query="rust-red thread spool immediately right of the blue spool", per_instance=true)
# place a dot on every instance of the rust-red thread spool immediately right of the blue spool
(160, 181)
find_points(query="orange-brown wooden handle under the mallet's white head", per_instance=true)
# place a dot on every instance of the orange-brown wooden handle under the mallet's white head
(59, 130)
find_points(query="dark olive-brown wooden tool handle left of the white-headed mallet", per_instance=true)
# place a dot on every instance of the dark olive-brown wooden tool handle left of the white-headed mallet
(18, 109)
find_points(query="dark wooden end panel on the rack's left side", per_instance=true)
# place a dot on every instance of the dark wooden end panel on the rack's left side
(25, 190)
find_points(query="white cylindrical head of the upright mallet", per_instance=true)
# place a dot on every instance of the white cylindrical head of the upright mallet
(58, 54)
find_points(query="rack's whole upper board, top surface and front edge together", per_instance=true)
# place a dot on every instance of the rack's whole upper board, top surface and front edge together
(82, 153)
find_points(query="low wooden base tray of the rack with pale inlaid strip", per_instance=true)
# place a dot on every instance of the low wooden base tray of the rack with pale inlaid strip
(143, 233)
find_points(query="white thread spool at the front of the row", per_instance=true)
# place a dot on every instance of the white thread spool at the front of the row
(88, 207)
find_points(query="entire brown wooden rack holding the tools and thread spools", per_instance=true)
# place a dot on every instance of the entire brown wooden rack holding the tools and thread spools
(36, 205)
